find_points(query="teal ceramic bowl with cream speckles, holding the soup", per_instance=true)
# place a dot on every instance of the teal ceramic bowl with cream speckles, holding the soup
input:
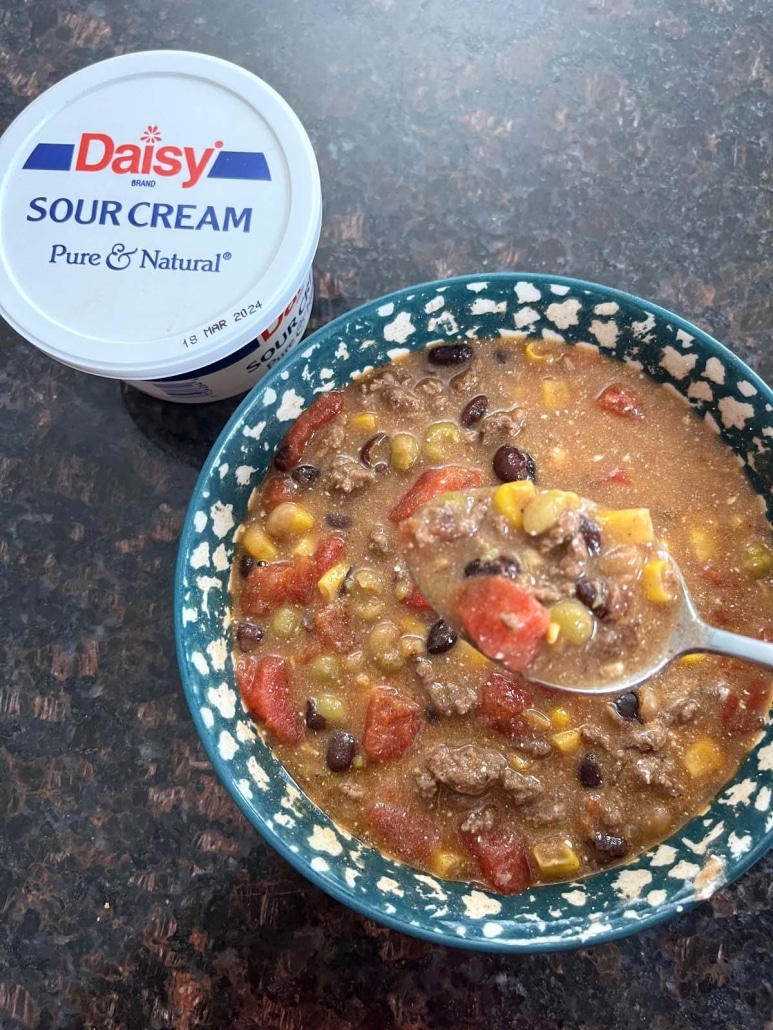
(711, 851)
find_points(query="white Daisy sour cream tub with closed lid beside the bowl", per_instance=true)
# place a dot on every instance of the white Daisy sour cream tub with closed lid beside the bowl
(159, 216)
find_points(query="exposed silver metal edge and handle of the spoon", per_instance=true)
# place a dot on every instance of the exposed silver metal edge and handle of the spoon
(690, 636)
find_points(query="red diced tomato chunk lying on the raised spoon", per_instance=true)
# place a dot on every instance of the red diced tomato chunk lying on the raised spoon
(503, 622)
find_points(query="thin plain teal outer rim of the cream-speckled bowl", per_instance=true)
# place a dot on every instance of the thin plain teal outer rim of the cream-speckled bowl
(660, 914)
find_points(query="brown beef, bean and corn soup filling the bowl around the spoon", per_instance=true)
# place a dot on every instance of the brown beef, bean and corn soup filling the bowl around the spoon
(406, 735)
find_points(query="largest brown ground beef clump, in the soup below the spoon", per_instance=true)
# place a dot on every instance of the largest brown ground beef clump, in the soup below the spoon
(472, 771)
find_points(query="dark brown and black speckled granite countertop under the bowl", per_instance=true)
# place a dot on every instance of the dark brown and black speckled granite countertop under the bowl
(626, 142)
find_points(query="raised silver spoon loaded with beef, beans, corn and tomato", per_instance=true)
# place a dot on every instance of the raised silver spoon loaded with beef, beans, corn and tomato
(443, 541)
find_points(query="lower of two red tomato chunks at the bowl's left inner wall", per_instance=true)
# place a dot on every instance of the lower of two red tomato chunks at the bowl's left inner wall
(265, 685)
